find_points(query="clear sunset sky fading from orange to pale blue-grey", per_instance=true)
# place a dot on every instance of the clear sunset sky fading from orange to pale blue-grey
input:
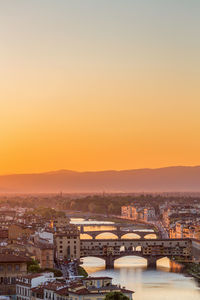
(94, 85)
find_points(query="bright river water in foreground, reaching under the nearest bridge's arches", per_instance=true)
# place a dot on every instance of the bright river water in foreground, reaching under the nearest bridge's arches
(160, 284)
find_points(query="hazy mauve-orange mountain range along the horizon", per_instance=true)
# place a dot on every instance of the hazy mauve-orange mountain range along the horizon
(170, 179)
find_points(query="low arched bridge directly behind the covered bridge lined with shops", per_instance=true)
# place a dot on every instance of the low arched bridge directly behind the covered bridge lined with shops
(118, 232)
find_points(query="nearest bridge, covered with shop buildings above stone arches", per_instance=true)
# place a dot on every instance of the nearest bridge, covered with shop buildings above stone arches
(151, 250)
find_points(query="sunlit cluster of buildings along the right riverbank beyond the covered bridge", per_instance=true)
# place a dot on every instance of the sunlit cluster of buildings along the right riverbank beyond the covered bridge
(175, 220)
